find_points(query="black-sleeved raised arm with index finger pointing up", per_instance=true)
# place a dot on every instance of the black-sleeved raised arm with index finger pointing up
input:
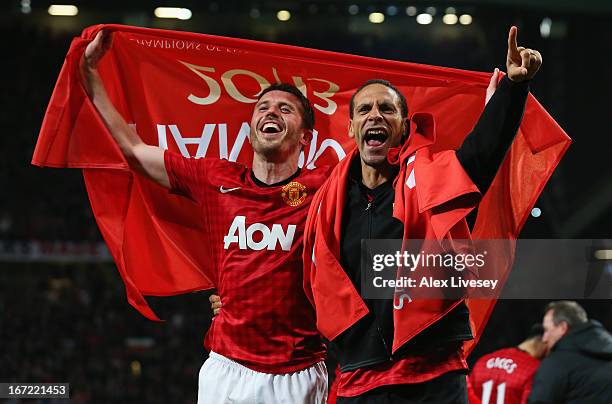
(484, 149)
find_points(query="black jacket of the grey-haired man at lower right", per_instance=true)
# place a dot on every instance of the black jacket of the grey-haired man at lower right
(578, 369)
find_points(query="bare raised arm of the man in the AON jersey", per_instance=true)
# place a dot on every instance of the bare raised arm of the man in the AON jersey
(145, 159)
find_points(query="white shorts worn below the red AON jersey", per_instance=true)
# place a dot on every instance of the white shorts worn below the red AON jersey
(223, 380)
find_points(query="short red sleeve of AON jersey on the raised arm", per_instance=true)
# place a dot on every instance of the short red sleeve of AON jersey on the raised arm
(189, 176)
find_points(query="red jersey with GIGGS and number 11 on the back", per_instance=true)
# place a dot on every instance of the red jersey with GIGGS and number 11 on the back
(504, 376)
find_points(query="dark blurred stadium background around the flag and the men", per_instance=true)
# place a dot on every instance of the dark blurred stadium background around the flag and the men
(63, 312)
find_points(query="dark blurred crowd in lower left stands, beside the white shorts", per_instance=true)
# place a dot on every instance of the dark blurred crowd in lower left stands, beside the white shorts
(73, 324)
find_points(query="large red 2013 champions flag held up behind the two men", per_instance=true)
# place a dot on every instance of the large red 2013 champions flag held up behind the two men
(194, 94)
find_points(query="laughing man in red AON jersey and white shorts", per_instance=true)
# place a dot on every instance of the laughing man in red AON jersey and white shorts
(260, 351)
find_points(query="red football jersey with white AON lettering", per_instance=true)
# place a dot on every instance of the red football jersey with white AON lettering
(255, 238)
